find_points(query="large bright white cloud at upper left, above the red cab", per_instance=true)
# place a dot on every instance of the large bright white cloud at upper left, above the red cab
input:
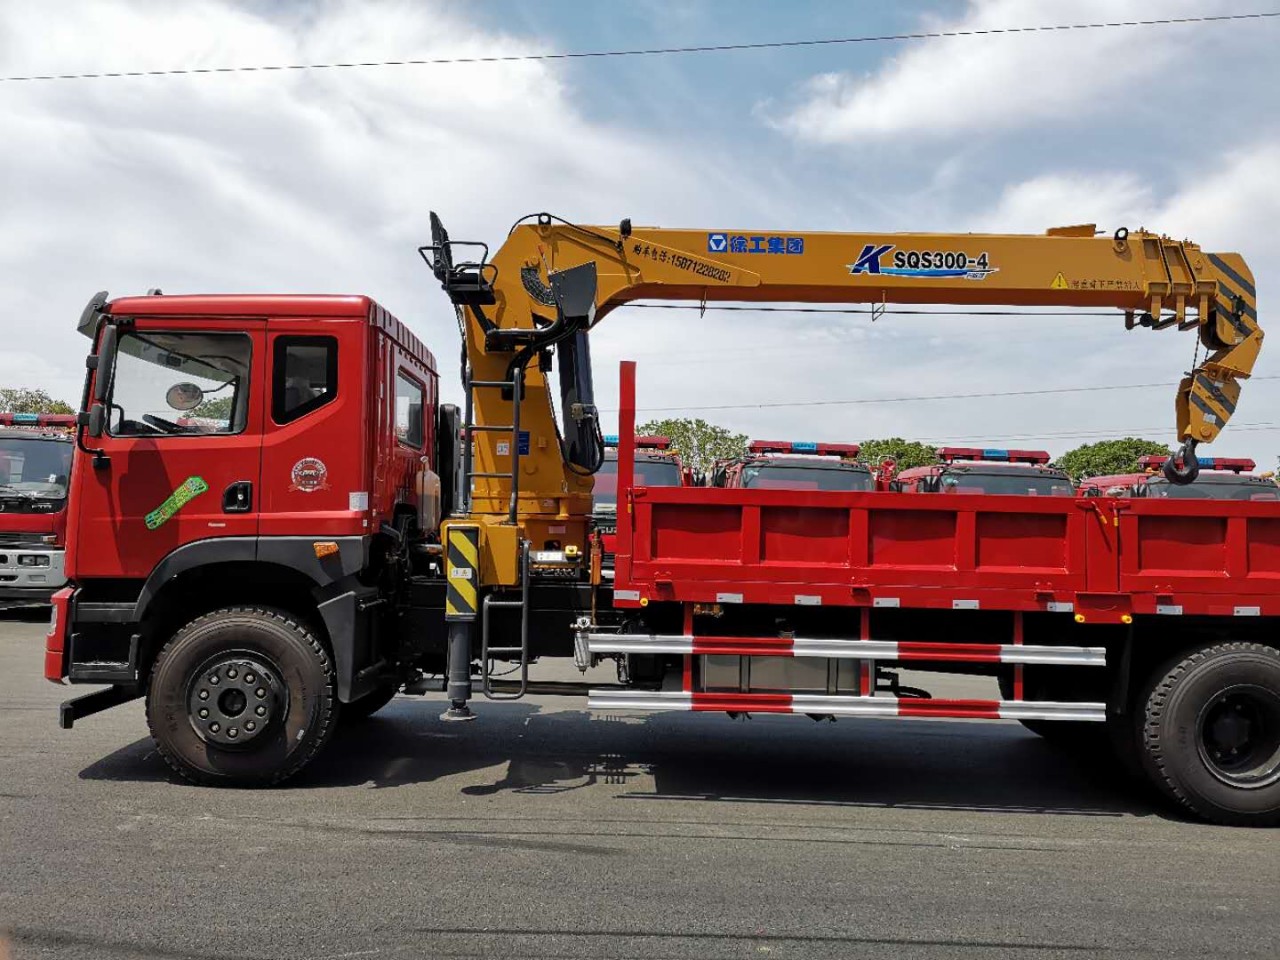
(291, 182)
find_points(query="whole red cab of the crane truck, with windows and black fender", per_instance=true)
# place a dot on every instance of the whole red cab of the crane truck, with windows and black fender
(253, 450)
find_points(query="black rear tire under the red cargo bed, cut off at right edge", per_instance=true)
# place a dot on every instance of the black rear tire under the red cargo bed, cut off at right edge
(1212, 734)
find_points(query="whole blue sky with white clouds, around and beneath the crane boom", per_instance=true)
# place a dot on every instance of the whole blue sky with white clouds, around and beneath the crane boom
(322, 181)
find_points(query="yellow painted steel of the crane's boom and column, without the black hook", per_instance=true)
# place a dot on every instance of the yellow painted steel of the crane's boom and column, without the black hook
(1156, 281)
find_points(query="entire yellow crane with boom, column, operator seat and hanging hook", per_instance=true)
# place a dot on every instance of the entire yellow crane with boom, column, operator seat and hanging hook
(552, 281)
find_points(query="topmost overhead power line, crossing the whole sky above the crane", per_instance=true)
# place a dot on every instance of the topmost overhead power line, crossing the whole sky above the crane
(644, 52)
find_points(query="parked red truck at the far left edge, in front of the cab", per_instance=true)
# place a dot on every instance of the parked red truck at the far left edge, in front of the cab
(35, 470)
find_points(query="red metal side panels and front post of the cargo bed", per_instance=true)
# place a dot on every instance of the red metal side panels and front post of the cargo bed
(1104, 559)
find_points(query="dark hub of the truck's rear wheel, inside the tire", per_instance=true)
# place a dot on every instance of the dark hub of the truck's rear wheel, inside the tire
(1240, 737)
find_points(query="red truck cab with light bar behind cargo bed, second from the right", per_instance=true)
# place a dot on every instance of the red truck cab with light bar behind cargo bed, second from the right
(989, 470)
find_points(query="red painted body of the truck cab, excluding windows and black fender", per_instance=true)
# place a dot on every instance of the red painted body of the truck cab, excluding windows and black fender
(359, 468)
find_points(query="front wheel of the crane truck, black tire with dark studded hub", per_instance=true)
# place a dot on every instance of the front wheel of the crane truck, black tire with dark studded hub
(285, 716)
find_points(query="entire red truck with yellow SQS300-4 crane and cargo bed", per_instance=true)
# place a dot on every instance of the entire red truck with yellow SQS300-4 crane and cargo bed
(307, 555)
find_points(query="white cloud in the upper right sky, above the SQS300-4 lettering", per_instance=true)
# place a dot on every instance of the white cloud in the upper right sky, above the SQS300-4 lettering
(975, 85)
